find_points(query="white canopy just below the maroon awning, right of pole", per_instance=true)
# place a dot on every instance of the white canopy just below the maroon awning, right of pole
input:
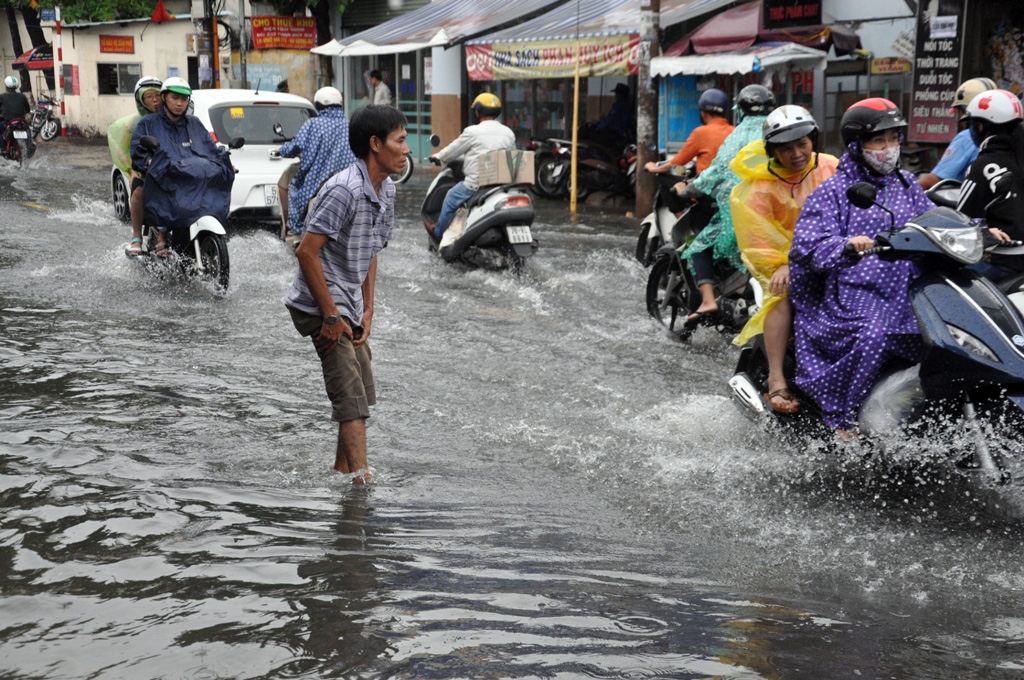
(767, 57)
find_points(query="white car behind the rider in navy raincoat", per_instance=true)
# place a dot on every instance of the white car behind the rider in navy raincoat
(249, 114)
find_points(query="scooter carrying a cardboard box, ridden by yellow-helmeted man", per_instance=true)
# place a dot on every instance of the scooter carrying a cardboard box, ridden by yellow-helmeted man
(492, 230)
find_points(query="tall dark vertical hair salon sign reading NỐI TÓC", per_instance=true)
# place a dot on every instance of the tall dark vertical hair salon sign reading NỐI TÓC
(936, 76)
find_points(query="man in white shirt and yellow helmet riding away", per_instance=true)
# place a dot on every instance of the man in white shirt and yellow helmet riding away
(487, 136)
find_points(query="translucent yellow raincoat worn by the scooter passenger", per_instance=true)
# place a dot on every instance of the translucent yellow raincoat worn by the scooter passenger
(764, 212)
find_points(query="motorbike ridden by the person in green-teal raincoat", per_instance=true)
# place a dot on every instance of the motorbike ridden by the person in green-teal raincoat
(672, 292)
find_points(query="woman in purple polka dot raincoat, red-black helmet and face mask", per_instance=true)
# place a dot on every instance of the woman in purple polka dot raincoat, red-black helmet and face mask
(854, 315)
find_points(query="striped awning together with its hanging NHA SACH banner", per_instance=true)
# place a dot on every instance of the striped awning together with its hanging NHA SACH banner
(545, 48)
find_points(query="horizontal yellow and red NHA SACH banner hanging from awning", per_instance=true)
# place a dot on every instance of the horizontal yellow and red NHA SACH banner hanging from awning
(600, 56)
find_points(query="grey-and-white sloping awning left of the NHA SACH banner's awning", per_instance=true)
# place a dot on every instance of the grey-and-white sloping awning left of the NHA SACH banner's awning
(440, 24)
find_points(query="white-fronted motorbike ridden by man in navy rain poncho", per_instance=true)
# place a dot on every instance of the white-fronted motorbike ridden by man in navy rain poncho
(200, 251)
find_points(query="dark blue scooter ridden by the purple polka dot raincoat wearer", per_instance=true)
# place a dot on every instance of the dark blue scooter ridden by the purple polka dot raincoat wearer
(971, 371)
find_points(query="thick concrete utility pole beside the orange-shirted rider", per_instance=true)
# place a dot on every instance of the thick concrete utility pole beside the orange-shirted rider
(651, 20)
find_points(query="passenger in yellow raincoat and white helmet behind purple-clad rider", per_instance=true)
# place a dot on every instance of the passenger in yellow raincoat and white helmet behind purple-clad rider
(778, 175)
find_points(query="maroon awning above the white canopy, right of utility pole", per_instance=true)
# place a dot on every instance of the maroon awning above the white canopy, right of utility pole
(744, 26)
